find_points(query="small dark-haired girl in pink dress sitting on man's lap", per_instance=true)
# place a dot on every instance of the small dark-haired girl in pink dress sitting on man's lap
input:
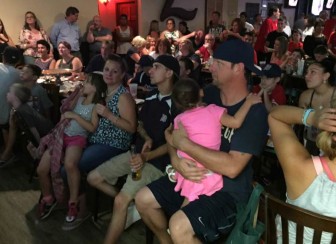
(203, 125)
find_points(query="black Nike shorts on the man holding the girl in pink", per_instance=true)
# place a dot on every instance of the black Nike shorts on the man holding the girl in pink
(210, 216)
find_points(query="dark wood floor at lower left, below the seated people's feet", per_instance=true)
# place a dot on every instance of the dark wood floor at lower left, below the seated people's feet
(18, 225)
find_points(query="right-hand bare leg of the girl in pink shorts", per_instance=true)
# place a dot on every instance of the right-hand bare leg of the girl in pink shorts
(72, 157)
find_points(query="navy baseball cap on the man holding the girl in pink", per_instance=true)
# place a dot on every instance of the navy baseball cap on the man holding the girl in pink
(237, 51)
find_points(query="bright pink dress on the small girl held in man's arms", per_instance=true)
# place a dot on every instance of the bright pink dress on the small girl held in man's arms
(203, 127)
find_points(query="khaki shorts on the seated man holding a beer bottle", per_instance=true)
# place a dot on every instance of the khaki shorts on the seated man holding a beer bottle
(119, 166)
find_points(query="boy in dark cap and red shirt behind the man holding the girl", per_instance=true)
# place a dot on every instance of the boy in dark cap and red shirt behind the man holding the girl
(272, 92)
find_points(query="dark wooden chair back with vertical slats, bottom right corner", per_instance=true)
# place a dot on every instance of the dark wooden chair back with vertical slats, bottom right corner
(298, 215)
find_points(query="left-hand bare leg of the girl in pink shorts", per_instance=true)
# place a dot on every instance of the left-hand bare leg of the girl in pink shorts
(43, 172)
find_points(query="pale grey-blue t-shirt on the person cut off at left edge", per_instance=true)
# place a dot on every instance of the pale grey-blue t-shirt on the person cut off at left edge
(8, 76)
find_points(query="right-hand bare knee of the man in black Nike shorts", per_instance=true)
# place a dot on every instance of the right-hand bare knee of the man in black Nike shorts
(180, 227)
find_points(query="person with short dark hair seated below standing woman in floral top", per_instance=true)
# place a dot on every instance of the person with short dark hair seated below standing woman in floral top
(45, 62)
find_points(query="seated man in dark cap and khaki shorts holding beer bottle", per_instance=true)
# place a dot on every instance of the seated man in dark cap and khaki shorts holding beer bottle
(151, 156)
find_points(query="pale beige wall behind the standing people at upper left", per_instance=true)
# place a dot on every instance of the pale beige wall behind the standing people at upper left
(47, 11)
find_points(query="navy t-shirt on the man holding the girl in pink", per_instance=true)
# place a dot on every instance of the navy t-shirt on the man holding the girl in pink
(249, 138)
